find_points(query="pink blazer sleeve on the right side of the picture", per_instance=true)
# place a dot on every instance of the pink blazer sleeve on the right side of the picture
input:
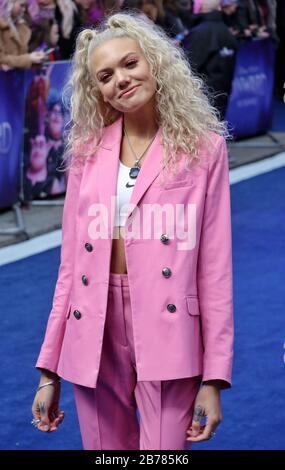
(214, 271)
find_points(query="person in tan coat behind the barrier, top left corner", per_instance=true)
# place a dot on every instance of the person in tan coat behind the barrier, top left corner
(14, 37)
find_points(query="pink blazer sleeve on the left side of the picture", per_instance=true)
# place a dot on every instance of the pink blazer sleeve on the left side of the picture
(51, 347)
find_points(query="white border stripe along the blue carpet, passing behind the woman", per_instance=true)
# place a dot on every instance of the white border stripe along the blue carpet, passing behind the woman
(51, 240)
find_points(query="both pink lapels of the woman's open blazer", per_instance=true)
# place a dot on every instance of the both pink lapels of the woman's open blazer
(109, 167)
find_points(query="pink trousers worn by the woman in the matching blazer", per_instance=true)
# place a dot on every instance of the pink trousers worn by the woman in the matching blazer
(108, 413)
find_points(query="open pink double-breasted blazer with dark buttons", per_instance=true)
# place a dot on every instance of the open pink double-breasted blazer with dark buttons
(182, 316)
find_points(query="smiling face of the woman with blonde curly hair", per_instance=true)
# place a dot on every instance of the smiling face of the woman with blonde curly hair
(123, 74)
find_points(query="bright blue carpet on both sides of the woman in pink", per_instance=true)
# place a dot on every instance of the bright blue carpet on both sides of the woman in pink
(254, 412)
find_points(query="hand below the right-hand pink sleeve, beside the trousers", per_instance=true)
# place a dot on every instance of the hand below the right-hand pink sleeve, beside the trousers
(207, 404)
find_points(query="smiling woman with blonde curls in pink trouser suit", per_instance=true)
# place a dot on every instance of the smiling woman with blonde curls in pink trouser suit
(142, 313)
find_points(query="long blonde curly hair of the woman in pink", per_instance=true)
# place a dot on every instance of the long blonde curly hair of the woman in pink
(182, 108)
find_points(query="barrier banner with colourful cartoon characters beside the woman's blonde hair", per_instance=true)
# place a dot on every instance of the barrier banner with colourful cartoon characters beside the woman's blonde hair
(43, 140)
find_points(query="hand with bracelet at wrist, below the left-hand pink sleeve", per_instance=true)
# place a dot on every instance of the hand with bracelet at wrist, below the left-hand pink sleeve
(45, 406)
